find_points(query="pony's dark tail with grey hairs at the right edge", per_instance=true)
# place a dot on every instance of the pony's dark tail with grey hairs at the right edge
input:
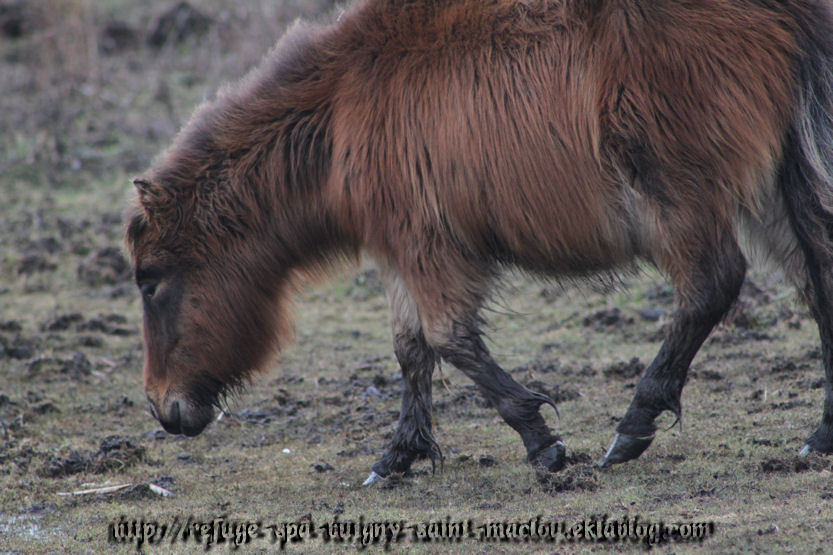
(807, 169)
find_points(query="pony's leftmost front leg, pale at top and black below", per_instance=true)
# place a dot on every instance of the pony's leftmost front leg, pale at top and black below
(413, 438)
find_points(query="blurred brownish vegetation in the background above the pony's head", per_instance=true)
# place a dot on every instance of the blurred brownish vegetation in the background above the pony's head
(92, 89)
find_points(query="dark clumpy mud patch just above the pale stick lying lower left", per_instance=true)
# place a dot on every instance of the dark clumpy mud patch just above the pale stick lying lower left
(114, 454)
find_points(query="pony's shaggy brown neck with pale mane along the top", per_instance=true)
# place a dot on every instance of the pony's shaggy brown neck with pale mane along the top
(273, 131)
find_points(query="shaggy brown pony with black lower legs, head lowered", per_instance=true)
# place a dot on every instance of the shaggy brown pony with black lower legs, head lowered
(451, 139)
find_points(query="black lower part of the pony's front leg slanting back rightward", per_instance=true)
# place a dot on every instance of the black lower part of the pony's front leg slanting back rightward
(517, 405)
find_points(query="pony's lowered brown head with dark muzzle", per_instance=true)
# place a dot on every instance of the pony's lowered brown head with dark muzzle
(212, 299)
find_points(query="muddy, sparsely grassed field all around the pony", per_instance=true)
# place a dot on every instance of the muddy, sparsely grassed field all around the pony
(90, 92)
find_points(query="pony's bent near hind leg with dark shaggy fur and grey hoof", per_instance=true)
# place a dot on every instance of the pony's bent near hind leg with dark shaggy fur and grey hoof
(707, 281)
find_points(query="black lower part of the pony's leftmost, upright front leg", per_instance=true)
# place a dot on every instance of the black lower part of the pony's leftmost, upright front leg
(413, 438)
